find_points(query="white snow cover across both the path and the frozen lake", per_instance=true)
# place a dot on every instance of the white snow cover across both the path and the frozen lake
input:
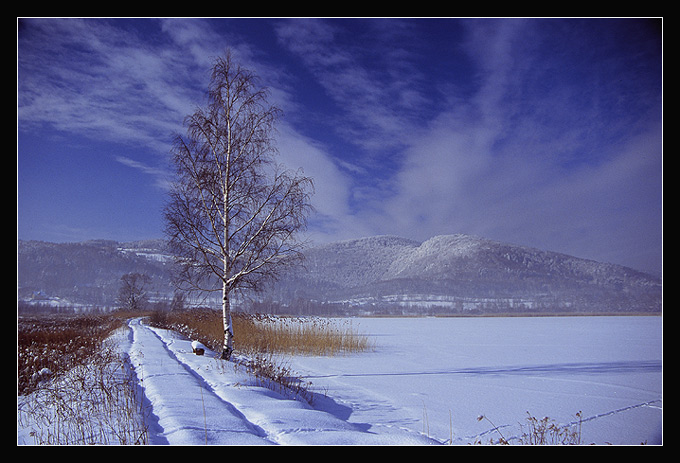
(427, 382)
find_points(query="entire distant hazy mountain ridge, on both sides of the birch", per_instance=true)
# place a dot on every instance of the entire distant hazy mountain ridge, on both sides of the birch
(448, 273)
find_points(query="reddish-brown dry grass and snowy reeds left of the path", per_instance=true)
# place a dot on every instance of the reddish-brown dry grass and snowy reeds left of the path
(74, 386)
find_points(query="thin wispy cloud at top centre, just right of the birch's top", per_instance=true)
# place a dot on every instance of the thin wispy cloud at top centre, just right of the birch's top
(376, 89)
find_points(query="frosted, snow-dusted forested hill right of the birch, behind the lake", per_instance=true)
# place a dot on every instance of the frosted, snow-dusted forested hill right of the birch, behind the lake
(463, 272)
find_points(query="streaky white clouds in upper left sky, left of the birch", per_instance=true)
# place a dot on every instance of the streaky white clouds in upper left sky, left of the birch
(91, 78)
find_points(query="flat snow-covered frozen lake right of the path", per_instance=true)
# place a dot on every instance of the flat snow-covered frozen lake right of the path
(438, 375)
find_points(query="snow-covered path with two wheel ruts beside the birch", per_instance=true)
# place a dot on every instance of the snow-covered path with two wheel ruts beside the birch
(196, 400)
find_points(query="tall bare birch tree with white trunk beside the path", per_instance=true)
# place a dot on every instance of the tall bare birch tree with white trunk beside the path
(233, 213)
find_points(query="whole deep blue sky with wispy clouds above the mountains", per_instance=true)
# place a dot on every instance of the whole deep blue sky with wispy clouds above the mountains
(540, 132)
